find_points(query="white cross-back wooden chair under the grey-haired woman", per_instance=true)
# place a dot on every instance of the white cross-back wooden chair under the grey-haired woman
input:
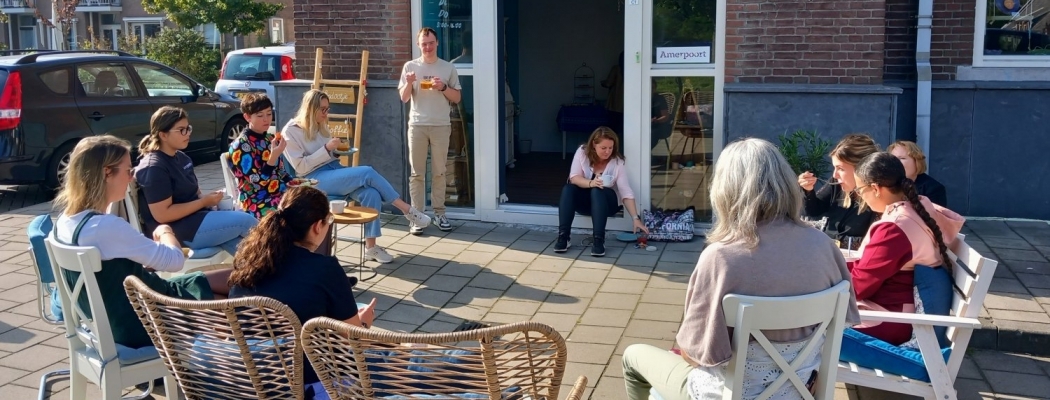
(750, 315)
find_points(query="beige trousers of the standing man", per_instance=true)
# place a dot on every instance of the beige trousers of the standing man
(434, 139)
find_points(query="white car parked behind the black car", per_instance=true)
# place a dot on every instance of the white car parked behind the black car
(253, 70)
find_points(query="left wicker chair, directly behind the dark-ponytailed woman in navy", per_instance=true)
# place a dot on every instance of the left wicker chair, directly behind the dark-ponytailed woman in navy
(245, 349)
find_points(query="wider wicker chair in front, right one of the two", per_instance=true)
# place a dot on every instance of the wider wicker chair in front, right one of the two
(524, 361)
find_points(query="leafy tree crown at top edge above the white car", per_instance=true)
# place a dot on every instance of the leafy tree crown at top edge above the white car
(229, 16)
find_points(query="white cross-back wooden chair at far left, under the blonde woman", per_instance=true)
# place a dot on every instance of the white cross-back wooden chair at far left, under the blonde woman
(94, 355)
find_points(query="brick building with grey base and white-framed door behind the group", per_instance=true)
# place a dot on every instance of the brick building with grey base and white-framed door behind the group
(969, 80)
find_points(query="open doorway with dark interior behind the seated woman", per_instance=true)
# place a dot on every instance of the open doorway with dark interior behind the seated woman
(558, 56)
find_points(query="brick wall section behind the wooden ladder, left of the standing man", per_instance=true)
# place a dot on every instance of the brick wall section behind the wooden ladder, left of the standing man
(381, 27)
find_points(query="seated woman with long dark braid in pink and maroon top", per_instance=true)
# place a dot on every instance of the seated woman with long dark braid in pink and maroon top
(911, 233)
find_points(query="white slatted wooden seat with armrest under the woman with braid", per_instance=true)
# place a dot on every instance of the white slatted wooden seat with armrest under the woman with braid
(973, 276)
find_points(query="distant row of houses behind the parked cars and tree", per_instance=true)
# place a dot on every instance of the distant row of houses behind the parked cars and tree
(110, 20)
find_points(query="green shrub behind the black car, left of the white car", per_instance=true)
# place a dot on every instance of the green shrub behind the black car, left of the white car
(186, 51)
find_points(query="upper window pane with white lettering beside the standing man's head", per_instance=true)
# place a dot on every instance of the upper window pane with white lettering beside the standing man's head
(453, 23)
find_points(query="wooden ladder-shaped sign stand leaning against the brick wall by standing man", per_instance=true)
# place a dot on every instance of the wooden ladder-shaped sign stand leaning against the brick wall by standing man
(348, 93)
